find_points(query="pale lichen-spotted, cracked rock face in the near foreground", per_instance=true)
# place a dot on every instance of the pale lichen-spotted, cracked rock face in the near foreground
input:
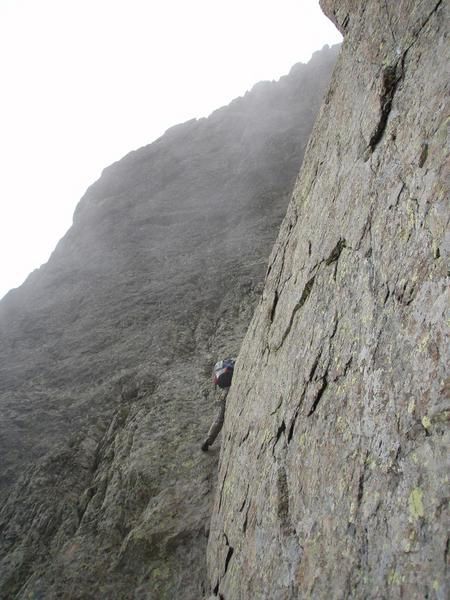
(333, 477)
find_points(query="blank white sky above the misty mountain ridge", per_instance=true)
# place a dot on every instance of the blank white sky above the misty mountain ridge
(83, 82)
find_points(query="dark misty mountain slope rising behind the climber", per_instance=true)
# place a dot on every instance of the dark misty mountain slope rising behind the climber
(106, 352)
